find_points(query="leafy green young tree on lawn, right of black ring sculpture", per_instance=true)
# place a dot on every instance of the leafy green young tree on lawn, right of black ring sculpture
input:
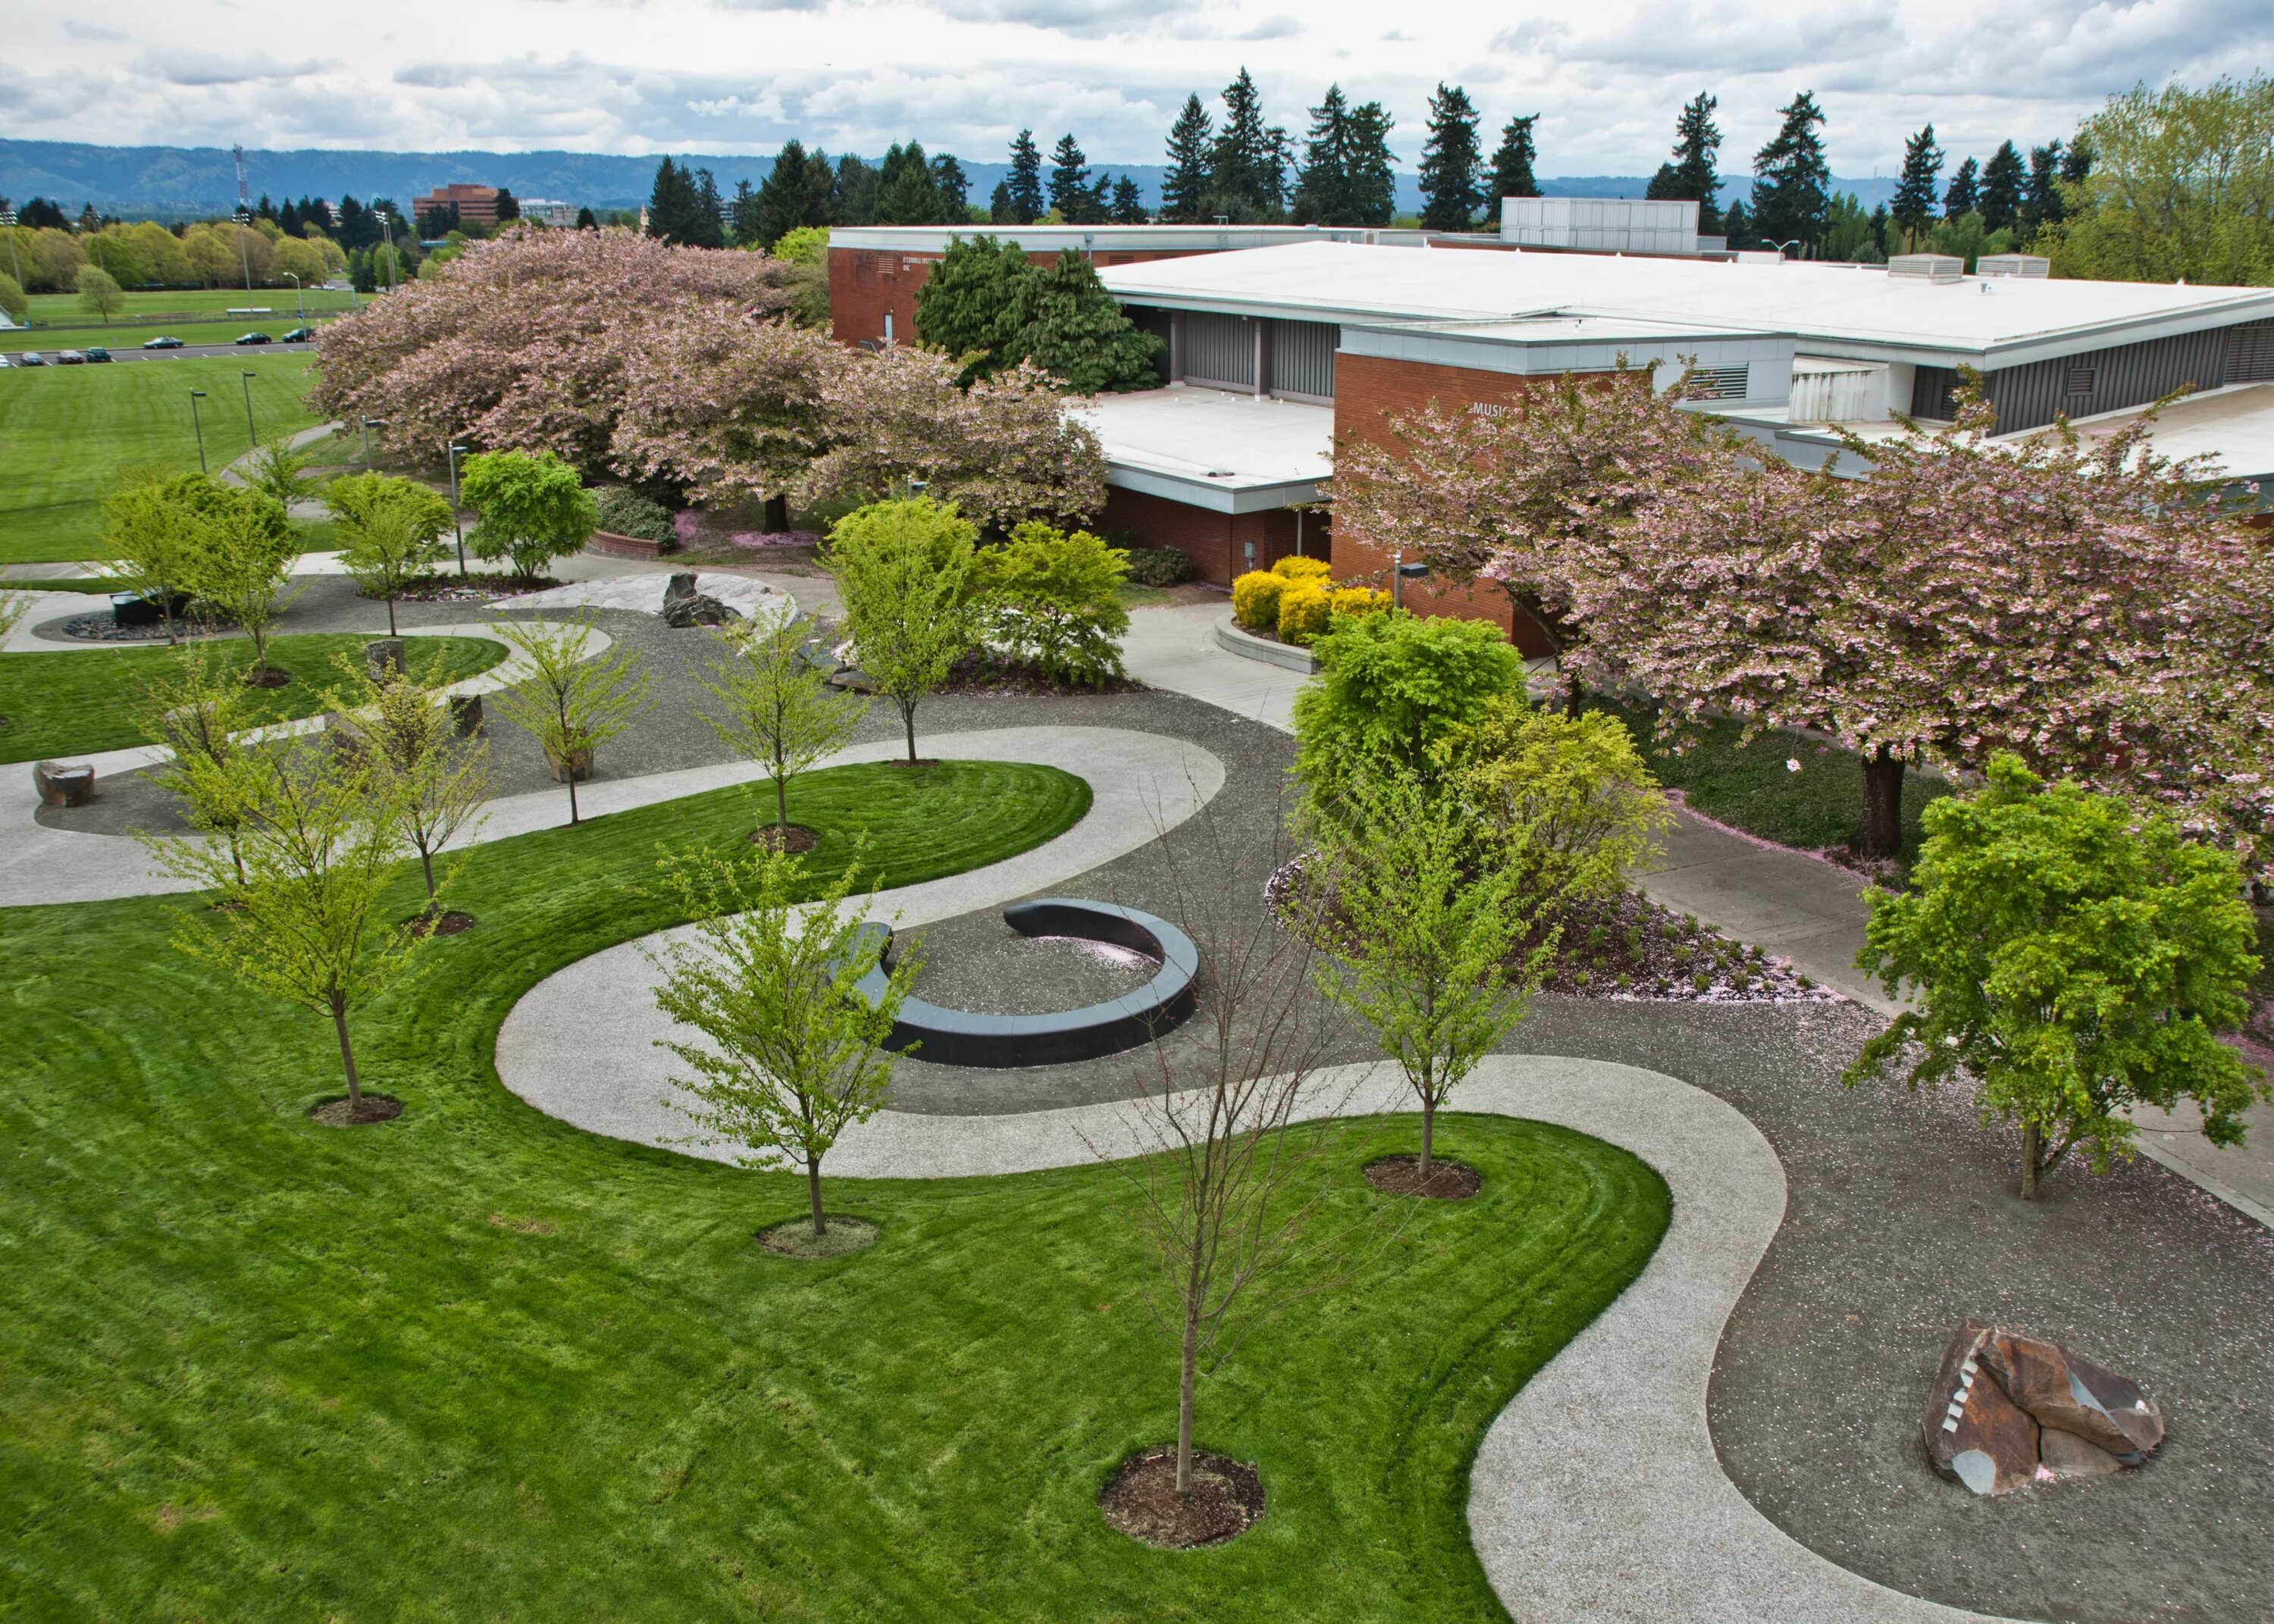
(1425, 938)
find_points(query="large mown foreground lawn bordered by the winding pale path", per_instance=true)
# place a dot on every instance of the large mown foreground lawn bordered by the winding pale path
(483, 1366)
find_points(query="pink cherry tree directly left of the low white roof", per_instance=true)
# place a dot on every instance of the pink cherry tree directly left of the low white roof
(999, 454)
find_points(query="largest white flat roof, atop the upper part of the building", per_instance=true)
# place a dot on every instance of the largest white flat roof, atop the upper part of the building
(1839, 310)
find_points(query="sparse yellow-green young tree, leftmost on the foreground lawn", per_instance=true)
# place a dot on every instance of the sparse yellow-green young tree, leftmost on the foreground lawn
(317, 852)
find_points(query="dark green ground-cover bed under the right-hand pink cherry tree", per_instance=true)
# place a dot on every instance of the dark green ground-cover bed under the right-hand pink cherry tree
(1752, 786)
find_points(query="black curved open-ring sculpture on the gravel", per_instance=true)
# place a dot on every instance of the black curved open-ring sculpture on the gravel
(968, 1038)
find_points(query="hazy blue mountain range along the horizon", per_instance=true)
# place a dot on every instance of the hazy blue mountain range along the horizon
(181, 181)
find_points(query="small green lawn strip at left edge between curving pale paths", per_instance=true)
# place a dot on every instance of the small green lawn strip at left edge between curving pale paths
(92, 699)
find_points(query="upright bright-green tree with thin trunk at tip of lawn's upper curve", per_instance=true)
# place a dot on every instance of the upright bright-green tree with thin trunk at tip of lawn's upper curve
(908, 574)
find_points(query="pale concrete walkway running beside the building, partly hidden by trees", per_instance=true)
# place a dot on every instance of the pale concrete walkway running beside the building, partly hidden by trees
(1786, 902)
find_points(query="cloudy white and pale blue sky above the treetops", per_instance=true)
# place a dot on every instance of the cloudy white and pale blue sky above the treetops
(740, 76)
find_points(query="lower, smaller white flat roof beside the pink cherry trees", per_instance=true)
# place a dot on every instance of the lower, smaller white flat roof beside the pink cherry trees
(1211, 447)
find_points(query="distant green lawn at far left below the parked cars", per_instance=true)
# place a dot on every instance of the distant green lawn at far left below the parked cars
(67, 433)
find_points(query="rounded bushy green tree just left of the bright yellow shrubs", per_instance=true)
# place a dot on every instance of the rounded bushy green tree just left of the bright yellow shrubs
(1054, 602)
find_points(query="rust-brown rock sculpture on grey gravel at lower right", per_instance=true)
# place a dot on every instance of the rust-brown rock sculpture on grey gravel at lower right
(2009, 1411)
